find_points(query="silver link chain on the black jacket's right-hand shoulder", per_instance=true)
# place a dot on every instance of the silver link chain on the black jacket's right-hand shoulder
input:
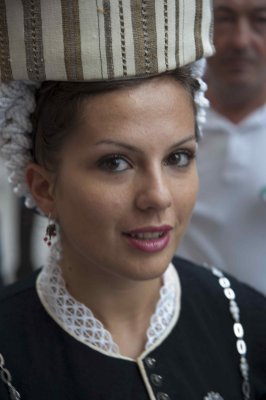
(237, 328)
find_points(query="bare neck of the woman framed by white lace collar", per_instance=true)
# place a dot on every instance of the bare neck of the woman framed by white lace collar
(123, 306)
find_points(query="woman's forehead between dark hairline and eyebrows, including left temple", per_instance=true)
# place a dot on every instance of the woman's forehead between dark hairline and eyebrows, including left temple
(152, 116)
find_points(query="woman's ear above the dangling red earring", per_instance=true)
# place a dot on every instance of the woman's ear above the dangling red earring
(41, 185)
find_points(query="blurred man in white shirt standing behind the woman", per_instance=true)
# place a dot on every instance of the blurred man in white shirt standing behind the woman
(228, 227)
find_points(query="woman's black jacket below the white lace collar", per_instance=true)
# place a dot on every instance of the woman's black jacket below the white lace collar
(198, 357)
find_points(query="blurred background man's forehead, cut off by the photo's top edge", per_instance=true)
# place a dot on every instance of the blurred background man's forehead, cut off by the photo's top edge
(240, 5)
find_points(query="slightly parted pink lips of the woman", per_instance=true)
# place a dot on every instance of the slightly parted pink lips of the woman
(149, 239)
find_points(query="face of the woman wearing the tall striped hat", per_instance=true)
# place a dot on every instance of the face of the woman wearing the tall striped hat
(127, 181)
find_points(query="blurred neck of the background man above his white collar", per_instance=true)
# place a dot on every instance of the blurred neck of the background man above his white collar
(236, 104)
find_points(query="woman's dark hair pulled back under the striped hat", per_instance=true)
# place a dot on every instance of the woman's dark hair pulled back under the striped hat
(58, 105)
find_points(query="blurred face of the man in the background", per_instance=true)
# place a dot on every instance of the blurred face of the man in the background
(240, 41)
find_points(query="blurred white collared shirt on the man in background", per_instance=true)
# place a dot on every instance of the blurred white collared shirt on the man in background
(228, 226)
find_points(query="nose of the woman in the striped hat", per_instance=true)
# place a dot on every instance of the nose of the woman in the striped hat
(154, 192)
